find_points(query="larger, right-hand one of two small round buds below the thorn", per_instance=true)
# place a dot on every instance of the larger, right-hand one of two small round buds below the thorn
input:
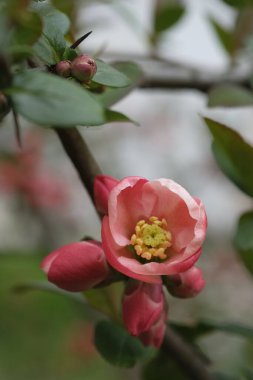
(83, 68)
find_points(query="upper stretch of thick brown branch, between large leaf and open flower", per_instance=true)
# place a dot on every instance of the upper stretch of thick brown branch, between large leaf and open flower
(80, 155)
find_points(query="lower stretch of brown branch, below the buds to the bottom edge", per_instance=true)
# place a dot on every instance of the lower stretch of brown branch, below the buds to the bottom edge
(189, 362)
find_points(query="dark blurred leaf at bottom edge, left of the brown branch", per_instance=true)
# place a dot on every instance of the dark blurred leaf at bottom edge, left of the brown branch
(162, 367)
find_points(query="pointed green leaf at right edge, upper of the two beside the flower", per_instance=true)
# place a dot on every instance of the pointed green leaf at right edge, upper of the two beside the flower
(233, 155)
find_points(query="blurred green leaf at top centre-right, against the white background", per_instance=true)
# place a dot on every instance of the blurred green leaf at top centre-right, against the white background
(167, 16)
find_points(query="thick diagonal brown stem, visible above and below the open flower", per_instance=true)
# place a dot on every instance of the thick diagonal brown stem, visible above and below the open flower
(87, 168)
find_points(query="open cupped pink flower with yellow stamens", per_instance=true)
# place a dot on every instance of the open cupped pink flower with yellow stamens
(153, 228)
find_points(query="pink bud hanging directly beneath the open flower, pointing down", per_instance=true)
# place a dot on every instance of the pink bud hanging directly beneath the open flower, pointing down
(143, 304)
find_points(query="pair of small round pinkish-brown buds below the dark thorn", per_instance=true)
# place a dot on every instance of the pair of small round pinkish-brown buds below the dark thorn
(82, 68)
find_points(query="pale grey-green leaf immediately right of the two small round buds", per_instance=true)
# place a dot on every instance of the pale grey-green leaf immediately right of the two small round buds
(109, 76)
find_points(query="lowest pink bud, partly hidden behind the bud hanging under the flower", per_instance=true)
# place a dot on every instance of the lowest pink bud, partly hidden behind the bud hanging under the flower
(155, 335)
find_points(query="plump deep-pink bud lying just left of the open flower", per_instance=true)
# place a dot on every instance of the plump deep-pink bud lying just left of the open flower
(77, 266)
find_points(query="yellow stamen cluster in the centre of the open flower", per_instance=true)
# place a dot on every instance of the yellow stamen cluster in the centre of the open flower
(151, 239)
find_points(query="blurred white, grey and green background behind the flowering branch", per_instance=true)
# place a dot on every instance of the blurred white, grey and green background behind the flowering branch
(44, 336)
